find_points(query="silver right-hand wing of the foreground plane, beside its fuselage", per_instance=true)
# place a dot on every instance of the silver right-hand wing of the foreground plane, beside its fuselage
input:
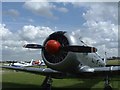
(101, 71)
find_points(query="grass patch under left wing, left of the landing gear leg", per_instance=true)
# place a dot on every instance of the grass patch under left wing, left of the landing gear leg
(20, 79)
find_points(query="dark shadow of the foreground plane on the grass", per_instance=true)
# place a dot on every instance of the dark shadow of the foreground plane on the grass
(86, 84)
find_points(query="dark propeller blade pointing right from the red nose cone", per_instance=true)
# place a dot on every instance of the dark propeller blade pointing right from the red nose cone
(80, 49)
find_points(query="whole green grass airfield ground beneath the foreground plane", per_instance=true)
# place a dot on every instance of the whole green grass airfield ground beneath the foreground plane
(12, 79)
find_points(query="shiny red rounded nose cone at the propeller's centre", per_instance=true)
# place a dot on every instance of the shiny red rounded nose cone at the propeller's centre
(52, 46)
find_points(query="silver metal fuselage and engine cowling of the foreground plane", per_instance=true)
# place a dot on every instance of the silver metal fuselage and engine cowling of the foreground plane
(73, 60)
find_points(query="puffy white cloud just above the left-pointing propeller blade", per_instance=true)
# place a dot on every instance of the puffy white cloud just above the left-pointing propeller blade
(34, 33)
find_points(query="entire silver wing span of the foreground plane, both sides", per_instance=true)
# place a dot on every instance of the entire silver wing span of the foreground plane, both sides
(82, 72)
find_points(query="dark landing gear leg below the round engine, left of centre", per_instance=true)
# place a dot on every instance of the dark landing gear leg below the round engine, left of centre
(47, 83)
